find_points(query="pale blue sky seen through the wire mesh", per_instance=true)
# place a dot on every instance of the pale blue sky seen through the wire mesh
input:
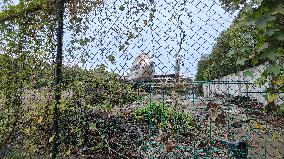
(201, 20)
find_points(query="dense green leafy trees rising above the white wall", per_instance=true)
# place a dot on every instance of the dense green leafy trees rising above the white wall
(255, 37)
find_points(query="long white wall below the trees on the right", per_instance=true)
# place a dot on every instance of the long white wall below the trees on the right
(254, 91)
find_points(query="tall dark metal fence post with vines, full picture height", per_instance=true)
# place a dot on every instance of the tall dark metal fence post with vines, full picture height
(58, 77)
